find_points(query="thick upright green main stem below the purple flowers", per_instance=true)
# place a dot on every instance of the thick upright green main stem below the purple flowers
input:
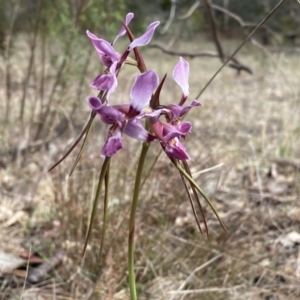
(135, 197)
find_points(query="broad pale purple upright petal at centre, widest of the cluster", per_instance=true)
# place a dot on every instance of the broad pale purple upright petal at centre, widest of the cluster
(142, 90)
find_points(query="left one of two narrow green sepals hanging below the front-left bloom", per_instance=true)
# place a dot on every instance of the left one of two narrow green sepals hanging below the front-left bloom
(103, 172)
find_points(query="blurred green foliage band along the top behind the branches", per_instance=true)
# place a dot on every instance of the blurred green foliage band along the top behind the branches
(62, 18)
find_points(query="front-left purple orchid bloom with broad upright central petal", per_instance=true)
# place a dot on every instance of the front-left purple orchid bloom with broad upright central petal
(124, 118)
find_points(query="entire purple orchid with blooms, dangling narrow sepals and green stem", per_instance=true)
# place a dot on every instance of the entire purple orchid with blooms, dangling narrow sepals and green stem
(162, 123)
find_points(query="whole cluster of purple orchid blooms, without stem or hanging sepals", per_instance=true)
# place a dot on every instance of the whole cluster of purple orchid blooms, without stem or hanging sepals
(127, 118)
